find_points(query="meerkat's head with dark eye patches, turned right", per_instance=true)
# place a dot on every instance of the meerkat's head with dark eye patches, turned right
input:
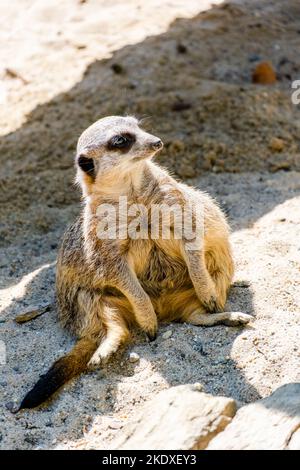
(113, 144)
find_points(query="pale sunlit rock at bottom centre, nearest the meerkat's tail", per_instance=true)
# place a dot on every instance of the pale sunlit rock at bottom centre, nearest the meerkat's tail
(178, 418)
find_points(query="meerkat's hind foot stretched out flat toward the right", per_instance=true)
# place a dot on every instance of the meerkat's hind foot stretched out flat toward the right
(210, 319)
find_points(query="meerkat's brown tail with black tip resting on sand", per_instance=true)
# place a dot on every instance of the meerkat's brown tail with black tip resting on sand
(64, 369)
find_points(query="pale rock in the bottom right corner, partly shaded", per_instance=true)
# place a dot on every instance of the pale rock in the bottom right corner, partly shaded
(271, 423)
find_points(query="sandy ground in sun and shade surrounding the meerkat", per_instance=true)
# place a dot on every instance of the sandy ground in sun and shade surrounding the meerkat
(78, 61)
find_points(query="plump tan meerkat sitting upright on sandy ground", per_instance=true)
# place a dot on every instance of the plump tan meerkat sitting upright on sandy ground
(104, 286)
